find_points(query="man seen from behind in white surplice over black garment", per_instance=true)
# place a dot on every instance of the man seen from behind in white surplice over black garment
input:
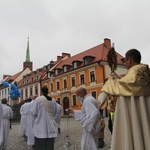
(43, 110)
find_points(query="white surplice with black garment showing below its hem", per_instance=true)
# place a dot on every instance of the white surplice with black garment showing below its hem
(43, 124)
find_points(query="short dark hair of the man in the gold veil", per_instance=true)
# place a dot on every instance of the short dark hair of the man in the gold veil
(134, 54)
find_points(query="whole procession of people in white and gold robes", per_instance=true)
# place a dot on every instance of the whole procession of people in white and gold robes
(127, 100)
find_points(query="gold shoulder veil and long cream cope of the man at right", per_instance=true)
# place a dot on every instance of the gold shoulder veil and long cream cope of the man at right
(131, 130)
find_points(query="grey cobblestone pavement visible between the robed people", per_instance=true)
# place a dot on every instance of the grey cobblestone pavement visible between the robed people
(69, 127)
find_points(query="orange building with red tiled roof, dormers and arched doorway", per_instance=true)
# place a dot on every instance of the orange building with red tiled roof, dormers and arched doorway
(88, 69)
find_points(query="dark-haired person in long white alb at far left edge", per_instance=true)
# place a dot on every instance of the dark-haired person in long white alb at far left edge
(5, 123)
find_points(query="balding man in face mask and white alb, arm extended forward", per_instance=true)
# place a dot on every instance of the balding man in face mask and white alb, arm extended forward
(89, 116)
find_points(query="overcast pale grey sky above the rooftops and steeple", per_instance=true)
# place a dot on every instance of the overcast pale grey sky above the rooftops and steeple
(71, 26)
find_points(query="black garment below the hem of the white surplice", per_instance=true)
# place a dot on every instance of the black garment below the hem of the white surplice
(44, 143)
